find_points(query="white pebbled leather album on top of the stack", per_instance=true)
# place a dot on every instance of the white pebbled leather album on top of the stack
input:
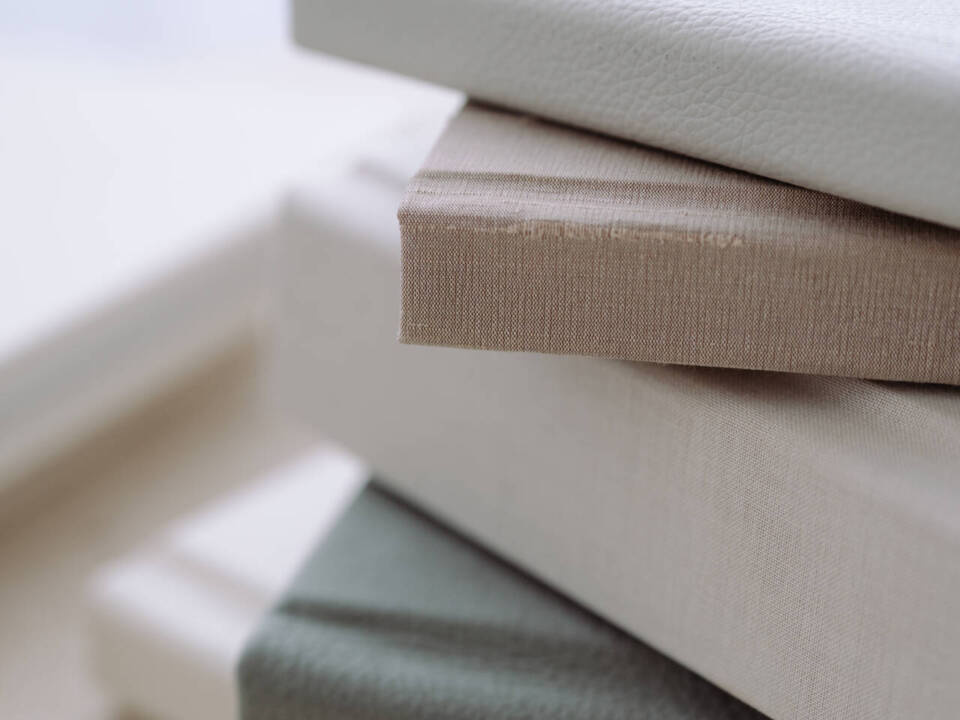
(856, 98)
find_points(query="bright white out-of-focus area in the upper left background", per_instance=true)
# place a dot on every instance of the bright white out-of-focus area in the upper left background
(130, 129)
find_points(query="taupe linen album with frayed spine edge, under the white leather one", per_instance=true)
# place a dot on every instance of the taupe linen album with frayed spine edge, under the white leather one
(523, 235)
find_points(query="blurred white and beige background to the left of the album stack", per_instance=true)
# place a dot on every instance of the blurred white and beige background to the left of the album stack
(145, 147)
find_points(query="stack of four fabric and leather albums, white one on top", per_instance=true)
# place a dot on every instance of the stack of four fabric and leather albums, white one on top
(699, 423)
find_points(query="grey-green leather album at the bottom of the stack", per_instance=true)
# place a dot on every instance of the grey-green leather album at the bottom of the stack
(396, 617)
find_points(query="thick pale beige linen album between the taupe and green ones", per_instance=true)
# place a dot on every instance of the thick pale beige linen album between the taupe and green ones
(794, 539)
